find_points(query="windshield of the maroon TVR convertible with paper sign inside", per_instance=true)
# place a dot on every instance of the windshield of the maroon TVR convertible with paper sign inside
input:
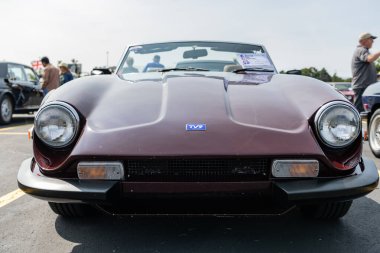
(194, 56)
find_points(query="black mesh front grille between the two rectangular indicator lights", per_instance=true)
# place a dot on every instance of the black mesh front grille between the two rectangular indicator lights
(197, 170)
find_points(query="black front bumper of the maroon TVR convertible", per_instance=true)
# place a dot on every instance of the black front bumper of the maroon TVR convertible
(293, 191)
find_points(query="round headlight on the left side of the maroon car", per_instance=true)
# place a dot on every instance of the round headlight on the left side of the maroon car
(57, 124)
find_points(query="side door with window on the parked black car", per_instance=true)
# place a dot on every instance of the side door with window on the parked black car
(21, 88)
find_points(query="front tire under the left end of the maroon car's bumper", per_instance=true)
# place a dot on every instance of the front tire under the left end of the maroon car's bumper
(70, 209)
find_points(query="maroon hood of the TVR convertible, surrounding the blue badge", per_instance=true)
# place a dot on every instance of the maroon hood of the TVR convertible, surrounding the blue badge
(257, 114)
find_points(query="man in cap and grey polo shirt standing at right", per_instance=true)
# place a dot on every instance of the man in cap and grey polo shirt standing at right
(363, 68)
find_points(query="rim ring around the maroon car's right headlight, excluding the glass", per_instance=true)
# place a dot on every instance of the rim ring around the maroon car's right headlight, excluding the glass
(324, 109)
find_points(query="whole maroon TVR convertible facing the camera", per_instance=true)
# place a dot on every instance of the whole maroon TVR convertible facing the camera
(197, 128)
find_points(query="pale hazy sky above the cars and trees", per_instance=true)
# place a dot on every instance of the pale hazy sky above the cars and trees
(296, 33)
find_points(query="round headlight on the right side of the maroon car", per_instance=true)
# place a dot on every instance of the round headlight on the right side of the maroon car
(337, 124)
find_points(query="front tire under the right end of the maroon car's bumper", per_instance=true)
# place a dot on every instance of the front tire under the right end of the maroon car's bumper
(327, 211)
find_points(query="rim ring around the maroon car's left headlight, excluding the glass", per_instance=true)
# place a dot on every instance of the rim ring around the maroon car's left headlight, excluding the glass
(67, 108)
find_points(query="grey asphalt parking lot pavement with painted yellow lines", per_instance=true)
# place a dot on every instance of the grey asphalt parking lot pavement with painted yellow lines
(28, 225)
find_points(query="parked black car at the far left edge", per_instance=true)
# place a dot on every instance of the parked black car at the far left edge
(20, 90)
